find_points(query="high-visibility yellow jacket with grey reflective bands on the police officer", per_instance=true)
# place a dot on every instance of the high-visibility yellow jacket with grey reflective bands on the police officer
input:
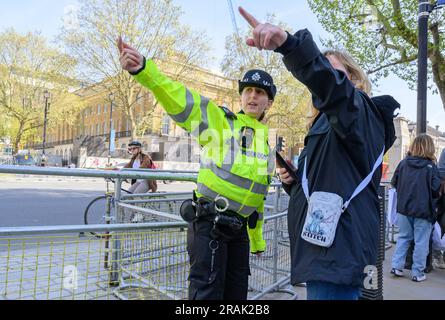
(236, 168)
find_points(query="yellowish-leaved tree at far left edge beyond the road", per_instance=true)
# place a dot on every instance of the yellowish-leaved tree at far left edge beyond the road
(28, 67)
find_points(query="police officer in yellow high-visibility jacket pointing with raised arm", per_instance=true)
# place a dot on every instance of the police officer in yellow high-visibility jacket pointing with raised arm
(234, 176)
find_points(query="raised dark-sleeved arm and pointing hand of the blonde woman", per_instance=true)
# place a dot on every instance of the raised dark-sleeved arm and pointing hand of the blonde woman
(332, 92)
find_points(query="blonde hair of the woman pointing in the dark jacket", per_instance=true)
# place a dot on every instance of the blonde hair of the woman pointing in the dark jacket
(356, 74)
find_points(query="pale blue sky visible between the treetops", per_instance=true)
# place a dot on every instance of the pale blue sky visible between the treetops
(213, 17)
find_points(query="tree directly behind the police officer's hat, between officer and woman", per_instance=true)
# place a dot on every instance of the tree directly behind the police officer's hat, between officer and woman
(291, 105)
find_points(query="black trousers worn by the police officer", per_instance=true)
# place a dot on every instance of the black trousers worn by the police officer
(229, 278)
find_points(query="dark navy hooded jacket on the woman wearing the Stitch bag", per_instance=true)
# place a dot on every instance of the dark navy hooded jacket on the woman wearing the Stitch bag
(341, 147)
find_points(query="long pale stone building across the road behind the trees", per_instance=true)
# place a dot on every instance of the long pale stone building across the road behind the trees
(162, 138)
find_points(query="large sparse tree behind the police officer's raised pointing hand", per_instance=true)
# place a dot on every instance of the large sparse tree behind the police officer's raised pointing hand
(152, 27)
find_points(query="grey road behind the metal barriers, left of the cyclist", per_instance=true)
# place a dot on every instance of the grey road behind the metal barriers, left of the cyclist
(50, 201)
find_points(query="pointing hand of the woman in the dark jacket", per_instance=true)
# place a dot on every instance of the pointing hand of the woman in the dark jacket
(265, 35)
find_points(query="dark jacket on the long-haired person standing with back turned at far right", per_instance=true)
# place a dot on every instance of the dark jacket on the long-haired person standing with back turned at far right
(417, 182)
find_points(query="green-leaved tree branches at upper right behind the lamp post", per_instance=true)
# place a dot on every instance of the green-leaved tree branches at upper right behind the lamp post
(382, 35)
